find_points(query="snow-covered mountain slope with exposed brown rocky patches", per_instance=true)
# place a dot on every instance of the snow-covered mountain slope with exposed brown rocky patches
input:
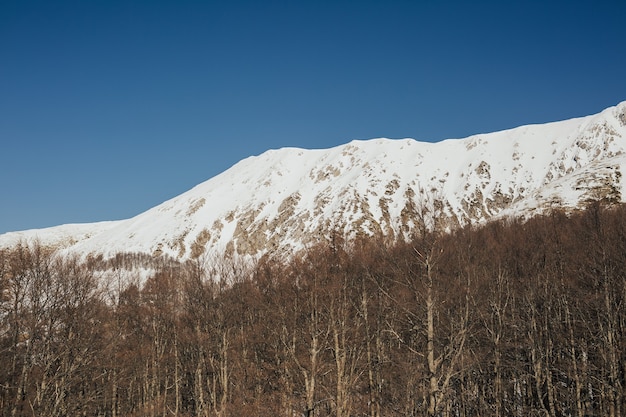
(290, 198)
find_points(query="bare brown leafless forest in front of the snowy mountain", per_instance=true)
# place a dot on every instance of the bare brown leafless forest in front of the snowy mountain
(513, 318)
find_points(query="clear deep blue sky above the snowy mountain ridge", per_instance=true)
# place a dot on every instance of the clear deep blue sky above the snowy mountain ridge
(108, 108)
